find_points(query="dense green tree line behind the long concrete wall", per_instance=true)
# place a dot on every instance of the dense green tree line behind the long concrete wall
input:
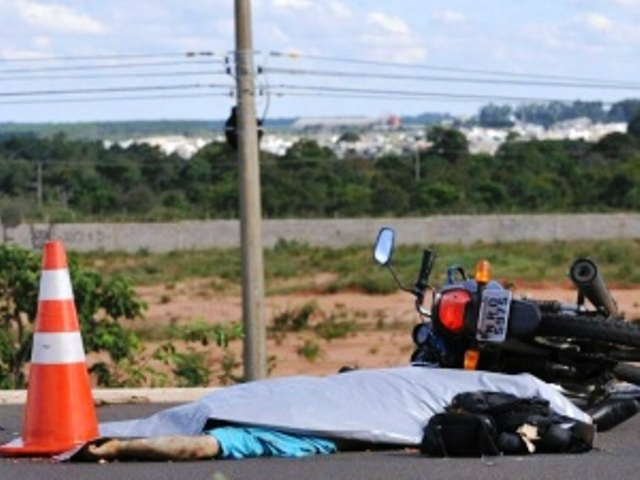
(62, 180)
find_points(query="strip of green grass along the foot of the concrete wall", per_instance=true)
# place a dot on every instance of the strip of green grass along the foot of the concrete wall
(354, 268)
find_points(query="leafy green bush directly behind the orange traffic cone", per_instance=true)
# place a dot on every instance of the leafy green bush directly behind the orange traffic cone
(101, 304)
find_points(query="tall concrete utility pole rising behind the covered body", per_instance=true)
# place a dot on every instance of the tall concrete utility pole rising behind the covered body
(255, 350)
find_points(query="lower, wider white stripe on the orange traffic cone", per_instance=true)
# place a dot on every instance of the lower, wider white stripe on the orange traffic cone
(56, 348)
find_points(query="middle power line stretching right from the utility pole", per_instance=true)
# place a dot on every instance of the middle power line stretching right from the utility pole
(344, 74)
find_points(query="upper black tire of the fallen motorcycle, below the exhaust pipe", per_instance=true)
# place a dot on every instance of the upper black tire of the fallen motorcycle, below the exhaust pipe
(596, 328)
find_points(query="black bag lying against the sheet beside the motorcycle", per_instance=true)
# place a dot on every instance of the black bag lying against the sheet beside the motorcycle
(491, 423)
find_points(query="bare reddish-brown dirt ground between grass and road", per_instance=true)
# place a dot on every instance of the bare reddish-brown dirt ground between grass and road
(379, 337)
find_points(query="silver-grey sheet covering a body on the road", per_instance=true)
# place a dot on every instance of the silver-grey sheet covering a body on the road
(389, 406)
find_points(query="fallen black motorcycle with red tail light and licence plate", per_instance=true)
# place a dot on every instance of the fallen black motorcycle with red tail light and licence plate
(476, 323)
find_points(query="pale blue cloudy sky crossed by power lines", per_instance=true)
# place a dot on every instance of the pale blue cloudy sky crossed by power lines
(82, 60)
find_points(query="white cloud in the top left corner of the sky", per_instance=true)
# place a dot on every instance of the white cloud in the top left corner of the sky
(57, 18)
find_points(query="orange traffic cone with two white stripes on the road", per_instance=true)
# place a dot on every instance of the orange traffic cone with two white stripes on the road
(59, 414)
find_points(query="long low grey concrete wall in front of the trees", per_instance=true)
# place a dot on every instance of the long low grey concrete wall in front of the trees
(164, 237)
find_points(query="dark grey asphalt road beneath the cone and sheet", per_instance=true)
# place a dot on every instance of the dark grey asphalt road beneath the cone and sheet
(617, 456)
